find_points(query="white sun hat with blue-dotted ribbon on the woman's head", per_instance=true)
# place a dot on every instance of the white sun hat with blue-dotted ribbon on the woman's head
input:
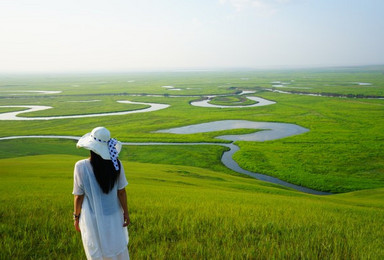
(100, 142)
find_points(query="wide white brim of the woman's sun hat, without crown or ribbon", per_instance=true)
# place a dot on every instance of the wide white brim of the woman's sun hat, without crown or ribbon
(87, 142)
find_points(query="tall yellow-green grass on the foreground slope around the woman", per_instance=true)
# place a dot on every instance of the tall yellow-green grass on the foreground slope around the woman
(181, 212)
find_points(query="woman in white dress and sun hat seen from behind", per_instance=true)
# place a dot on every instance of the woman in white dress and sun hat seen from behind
(100, 203)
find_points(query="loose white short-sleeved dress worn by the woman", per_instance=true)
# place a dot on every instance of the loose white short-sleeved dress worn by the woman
(101, 219)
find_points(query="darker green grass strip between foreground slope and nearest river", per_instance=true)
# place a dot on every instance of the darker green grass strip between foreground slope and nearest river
(197, 155)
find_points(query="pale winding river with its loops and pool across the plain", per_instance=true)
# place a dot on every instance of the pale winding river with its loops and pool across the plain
(269, 131)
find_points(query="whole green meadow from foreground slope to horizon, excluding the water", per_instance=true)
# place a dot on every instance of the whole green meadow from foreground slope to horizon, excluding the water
(184, 203)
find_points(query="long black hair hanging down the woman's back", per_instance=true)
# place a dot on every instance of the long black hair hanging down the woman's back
(105, 173)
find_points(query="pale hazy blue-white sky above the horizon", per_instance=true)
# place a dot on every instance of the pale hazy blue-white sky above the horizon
(123, 35)
